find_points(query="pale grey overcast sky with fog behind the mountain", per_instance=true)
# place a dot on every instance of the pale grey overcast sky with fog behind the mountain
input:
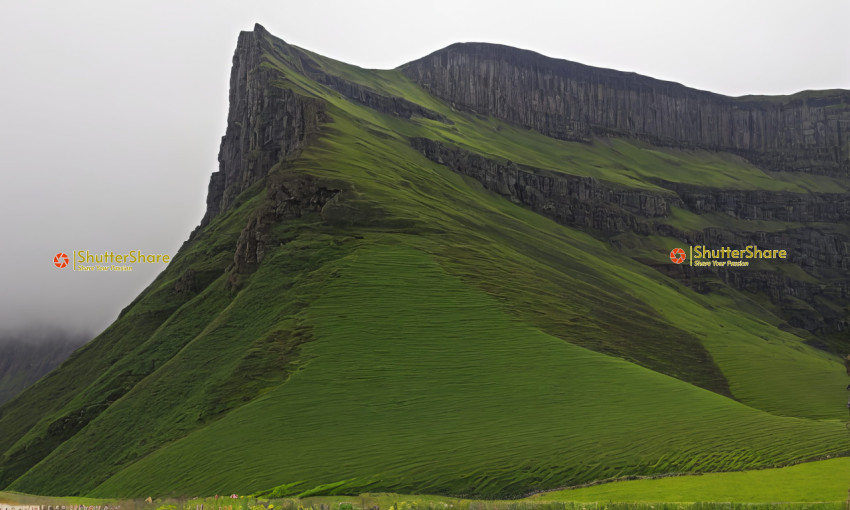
(111, 112)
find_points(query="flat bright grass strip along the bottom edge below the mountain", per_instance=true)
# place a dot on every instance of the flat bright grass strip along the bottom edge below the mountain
(815, 485)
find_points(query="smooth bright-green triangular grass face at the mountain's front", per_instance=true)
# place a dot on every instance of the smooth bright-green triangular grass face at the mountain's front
(427, 386)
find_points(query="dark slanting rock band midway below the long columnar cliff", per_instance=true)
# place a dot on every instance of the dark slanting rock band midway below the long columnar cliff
(570, 200)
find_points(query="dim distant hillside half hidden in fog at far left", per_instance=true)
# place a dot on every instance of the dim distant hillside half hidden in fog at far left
(27, 356)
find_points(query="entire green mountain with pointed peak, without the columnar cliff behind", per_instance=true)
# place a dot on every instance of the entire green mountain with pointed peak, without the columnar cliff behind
(389, 292)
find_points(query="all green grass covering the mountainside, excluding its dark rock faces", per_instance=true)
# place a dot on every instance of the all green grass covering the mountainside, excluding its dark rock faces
(422, 334)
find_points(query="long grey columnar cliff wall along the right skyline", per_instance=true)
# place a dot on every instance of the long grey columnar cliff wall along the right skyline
(808, 132)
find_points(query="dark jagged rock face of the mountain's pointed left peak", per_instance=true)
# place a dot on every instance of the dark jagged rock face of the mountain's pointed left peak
(266, 124)
